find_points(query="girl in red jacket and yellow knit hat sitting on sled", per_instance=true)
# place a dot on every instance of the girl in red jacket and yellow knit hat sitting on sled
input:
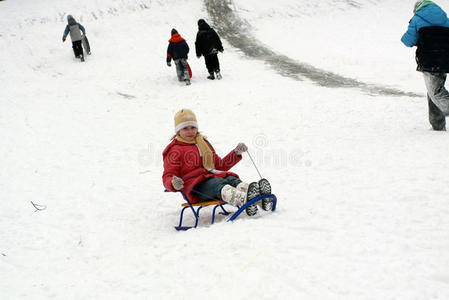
(191, 165)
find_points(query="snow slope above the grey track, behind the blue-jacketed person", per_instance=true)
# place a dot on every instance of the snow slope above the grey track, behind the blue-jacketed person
(358, 38)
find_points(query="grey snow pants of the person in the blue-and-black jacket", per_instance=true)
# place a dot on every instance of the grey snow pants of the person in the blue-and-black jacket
(438, 99)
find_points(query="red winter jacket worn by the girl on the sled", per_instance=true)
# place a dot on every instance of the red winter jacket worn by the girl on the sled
(184, 160)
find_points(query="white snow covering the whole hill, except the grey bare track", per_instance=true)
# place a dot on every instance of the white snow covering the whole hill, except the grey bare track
(361, 180)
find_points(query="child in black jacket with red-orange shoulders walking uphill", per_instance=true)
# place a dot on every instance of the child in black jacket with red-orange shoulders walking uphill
(178, 50)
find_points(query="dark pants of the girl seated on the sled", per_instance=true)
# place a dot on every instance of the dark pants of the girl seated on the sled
(211, 188)
